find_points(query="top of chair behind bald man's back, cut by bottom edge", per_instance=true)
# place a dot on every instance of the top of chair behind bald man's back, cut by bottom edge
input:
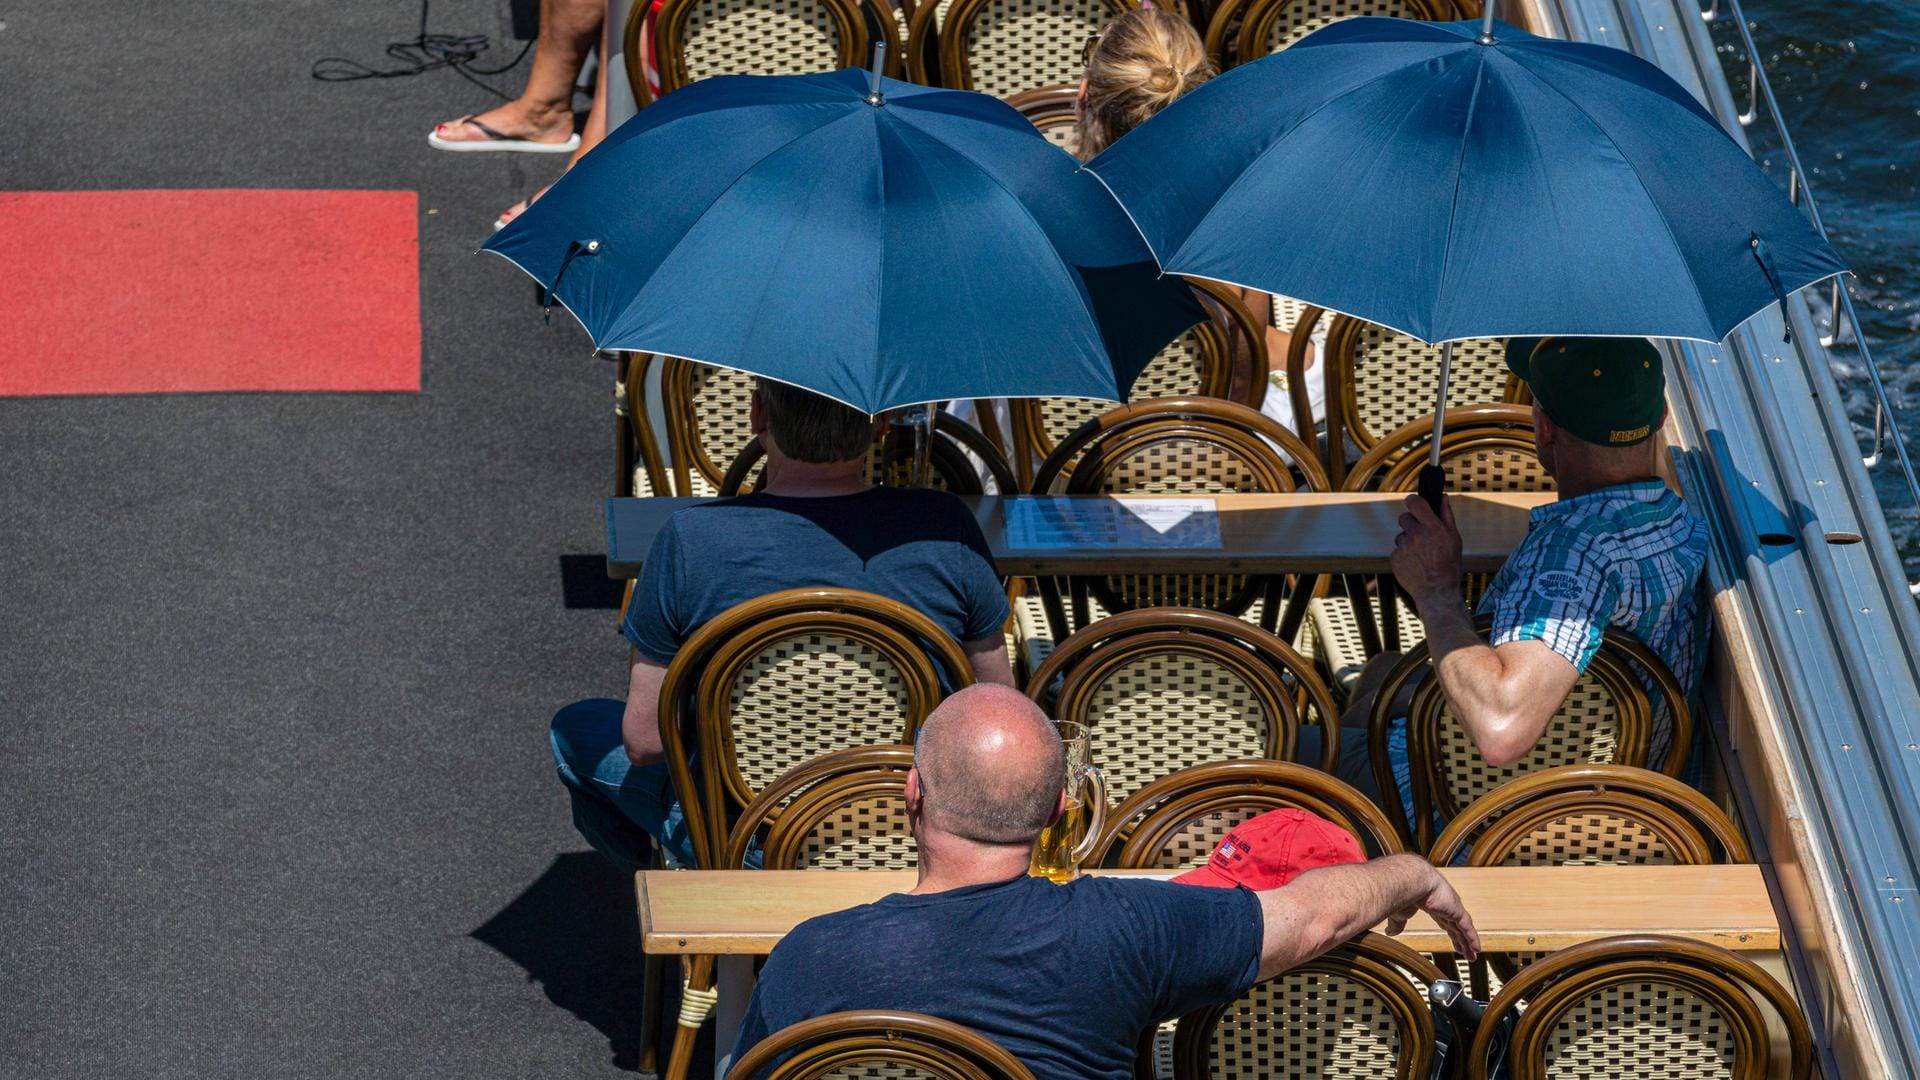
(878, 1044)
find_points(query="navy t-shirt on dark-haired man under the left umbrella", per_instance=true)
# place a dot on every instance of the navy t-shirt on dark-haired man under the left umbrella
(917, 547)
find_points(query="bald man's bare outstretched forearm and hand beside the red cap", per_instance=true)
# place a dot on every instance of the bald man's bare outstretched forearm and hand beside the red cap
(1328, 906)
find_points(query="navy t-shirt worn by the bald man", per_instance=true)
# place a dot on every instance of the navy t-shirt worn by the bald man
(1065, 977)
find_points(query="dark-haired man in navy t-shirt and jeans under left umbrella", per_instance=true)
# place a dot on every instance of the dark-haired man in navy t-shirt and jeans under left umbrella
(815, 524)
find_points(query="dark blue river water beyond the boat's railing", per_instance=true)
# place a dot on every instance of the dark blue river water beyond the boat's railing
(1848, 78)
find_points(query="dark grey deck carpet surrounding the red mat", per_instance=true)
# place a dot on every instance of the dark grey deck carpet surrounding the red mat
(276, 797)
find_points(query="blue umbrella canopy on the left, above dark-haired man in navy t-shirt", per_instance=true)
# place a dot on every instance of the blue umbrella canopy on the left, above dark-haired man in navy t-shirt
(884, 251)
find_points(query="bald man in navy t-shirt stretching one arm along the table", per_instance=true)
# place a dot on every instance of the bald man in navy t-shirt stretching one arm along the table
(1065, 977)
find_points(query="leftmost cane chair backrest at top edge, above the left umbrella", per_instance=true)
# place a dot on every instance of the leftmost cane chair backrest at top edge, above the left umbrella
(700, 39)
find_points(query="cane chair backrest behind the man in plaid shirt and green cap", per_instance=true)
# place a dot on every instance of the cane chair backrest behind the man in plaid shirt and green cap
(1608, 720)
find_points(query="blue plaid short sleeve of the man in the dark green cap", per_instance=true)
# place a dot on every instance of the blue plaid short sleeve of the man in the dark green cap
(1558, 587)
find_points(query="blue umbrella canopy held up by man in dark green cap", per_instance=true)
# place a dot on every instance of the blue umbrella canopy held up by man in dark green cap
(1452, 187)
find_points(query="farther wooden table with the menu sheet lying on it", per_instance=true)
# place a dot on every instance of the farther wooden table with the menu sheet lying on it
(1259, 535)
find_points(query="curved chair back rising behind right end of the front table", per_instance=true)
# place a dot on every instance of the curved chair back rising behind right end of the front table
(1591, 816)
